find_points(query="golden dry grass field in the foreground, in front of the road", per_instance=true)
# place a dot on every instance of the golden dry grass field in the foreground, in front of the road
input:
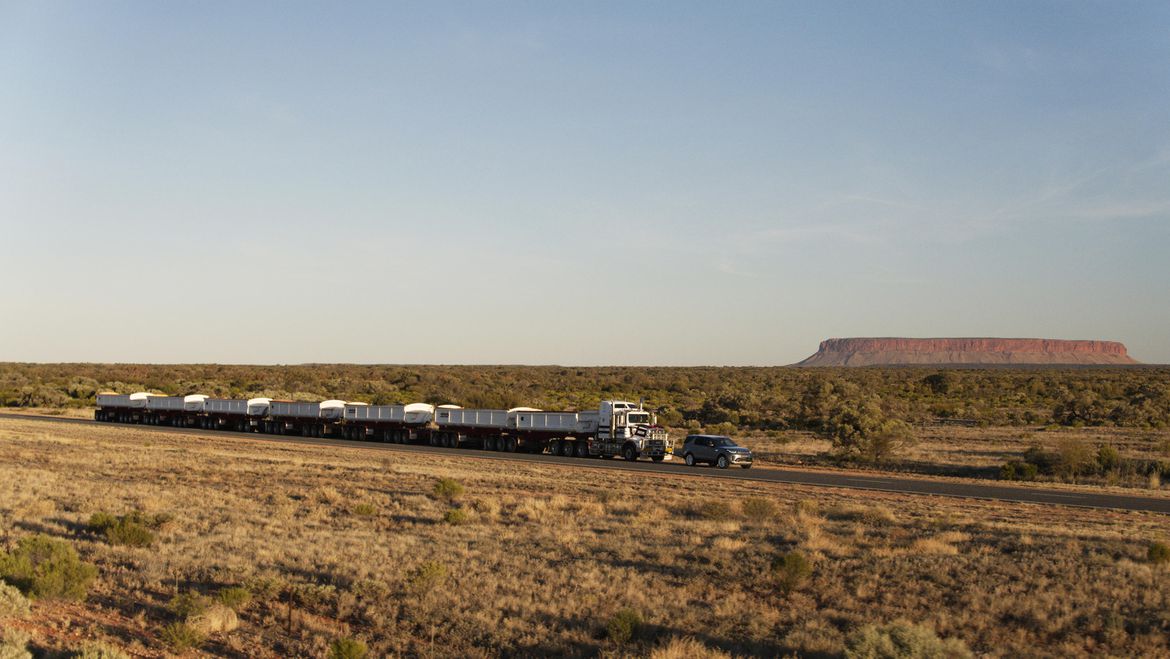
(549, 554)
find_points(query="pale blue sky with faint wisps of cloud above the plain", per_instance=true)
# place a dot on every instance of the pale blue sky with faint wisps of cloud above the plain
(579, 183)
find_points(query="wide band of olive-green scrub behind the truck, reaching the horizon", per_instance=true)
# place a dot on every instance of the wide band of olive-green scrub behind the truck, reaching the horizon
(852, 406)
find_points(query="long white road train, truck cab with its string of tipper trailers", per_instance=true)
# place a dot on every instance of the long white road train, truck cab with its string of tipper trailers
(617, 428)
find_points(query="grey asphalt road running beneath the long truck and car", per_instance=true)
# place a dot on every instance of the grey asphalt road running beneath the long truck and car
(857, 480)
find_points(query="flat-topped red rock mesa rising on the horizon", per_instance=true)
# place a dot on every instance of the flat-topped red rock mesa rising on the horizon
(967, 352)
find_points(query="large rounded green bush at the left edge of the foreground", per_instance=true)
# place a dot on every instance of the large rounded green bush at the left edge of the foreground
(46, 568)
